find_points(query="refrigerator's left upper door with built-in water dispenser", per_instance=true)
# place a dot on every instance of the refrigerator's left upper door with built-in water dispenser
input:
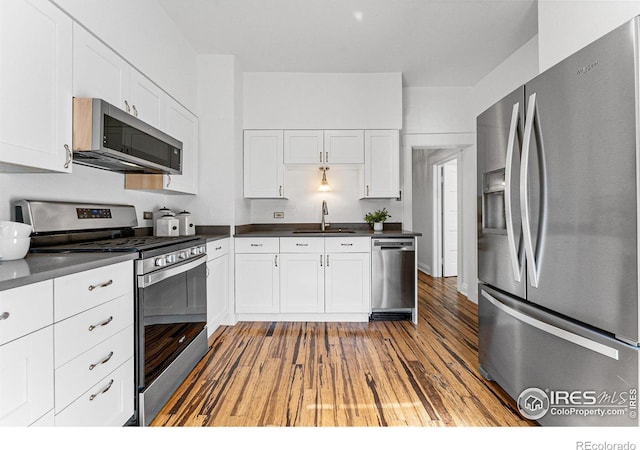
(500, 251)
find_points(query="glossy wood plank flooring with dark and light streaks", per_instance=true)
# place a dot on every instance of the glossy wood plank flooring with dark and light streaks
(376, 374)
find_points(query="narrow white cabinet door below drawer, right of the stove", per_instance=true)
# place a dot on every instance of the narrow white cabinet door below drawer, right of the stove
(217, 291)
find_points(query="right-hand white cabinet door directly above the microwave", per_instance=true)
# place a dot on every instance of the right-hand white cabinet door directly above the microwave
(147, 99)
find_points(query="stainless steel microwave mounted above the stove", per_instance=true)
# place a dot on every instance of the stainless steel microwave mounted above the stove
(106, 137)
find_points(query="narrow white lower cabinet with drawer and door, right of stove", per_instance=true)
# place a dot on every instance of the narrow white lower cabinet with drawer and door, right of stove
(217, 283)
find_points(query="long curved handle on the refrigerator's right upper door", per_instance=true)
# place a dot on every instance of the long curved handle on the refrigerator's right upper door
(524, 192)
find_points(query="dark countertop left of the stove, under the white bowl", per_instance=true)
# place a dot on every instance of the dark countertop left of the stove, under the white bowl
(41, 270)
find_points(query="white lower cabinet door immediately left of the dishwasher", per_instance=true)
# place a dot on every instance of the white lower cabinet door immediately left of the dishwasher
(347, 282)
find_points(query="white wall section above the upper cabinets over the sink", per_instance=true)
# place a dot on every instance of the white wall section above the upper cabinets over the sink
(322, 100)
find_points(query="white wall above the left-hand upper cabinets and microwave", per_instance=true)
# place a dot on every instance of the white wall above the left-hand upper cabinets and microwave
(143, 34)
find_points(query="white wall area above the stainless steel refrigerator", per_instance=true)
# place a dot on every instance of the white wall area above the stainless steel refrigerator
(564, 27)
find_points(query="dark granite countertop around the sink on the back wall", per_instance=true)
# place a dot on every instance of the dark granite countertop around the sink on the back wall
(313, 230)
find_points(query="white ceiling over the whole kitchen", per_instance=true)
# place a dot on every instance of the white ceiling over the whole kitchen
(432, 42)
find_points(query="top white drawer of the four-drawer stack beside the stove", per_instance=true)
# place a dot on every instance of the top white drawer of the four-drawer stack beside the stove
(80, 291)
